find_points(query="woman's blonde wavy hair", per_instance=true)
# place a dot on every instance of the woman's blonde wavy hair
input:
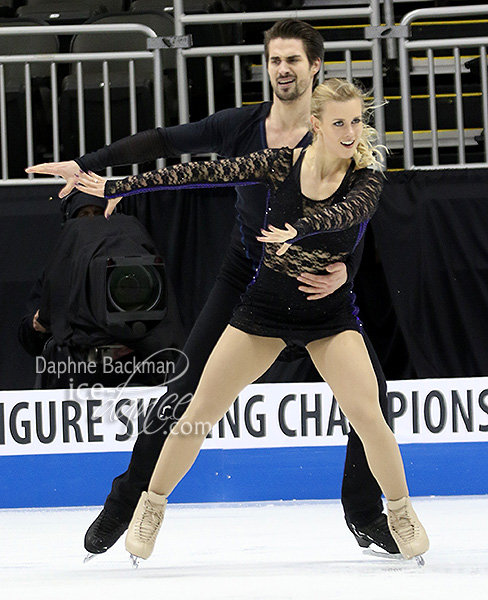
(341, 90)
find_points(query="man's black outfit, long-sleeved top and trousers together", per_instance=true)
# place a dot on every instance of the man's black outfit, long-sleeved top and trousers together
(230, 132)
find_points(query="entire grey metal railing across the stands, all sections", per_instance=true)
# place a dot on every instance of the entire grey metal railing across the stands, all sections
(348, 66)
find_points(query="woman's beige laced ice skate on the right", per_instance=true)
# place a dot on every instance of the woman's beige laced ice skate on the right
(407, 530)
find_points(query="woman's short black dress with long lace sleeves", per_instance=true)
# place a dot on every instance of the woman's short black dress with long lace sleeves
(328, 231)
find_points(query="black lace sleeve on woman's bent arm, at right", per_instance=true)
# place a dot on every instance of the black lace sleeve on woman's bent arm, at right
(358, 205)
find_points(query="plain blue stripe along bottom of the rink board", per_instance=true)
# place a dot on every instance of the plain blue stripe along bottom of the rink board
(238, 475)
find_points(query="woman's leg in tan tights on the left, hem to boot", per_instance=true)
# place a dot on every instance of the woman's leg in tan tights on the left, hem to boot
(237, 360)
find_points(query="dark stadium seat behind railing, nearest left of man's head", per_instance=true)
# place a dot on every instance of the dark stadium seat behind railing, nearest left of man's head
(119, 82)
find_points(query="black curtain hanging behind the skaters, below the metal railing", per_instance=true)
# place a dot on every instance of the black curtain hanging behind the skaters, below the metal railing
(422, 288)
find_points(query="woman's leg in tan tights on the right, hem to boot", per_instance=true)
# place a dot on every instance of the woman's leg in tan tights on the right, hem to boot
(343, 362)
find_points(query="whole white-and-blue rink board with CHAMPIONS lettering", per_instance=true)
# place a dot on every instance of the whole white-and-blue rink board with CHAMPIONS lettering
(278, 441)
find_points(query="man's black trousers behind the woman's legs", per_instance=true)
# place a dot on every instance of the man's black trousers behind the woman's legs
(361, 495)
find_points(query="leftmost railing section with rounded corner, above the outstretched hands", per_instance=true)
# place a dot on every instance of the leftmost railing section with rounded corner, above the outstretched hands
(77, 60)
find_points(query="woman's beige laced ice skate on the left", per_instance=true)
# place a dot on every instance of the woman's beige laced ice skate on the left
(145, 525)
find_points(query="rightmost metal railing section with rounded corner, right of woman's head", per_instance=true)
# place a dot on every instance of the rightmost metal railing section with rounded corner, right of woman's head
(429, 46)
